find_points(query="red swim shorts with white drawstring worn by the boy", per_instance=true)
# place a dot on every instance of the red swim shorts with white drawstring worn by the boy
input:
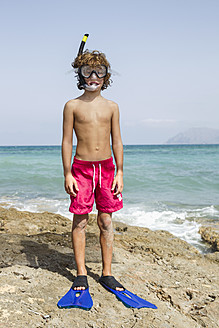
(94, 179)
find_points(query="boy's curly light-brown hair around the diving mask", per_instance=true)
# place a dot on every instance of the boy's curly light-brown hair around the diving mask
(92, 58)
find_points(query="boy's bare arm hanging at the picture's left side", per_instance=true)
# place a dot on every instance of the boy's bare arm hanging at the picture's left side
(68, 123)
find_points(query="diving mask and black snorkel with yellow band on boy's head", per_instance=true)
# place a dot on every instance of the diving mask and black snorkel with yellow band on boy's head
(85, 71)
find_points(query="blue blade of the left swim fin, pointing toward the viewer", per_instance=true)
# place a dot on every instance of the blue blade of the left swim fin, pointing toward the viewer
(76, 298)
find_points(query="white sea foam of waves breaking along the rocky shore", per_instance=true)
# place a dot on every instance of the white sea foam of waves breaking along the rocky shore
(181, 223)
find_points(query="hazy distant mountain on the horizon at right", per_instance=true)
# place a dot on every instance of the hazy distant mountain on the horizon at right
(196, 136)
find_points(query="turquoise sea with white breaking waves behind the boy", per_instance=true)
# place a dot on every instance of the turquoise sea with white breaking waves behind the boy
(166, 187)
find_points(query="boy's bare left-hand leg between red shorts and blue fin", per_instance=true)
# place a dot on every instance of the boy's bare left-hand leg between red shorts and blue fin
(78, 243)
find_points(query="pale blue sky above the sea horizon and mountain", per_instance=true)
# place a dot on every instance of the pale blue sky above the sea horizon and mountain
(165, 51)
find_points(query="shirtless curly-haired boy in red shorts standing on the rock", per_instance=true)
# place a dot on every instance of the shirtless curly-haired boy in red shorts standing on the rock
(94, 120)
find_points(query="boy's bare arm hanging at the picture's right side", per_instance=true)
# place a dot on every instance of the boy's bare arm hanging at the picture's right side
(117, 151)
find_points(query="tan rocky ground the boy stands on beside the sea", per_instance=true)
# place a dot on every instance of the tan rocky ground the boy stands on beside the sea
(37, 269)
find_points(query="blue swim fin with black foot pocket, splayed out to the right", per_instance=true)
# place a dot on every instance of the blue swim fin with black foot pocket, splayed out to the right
(129, 299)
